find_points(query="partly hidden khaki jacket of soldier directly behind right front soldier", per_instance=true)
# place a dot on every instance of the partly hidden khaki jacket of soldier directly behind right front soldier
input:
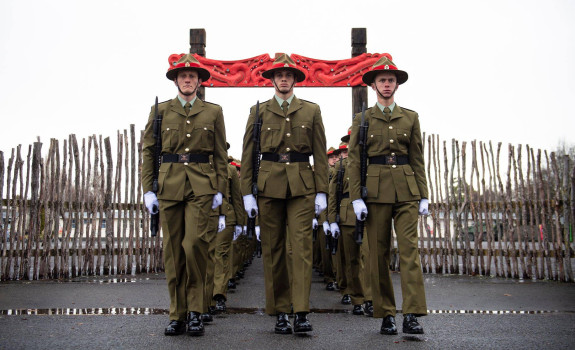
(346, 214)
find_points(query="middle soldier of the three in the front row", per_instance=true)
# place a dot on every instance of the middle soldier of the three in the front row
(288, 190)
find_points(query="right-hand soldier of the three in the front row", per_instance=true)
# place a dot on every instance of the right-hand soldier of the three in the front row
(396, 193)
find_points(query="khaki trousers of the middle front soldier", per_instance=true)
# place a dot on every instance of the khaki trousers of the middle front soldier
(277, 216)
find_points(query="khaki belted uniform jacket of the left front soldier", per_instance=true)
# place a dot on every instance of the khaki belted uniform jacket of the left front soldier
(202, 132)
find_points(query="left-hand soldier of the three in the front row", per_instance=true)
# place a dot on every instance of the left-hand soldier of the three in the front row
(190, 189)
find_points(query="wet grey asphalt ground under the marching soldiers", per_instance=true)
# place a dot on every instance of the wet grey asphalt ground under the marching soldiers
(126, 312)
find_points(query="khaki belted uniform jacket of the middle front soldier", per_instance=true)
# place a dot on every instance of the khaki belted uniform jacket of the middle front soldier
(302, 131)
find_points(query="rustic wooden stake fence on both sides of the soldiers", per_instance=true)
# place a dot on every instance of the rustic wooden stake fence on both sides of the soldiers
(78, 211)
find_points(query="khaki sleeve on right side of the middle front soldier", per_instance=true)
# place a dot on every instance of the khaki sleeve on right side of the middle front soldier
(319, 155)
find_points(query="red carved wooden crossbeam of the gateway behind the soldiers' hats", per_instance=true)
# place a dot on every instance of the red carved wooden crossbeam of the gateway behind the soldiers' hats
(319, 73)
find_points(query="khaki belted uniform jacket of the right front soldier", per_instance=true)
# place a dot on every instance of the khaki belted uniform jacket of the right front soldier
(400, 135)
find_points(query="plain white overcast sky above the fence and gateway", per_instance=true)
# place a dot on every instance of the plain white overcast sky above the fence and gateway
(500, 70)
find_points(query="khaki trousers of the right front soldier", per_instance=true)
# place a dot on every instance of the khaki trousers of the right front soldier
(404, 218)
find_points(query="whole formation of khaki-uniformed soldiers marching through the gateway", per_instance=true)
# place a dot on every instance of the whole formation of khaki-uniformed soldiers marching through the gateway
(302, 216)
